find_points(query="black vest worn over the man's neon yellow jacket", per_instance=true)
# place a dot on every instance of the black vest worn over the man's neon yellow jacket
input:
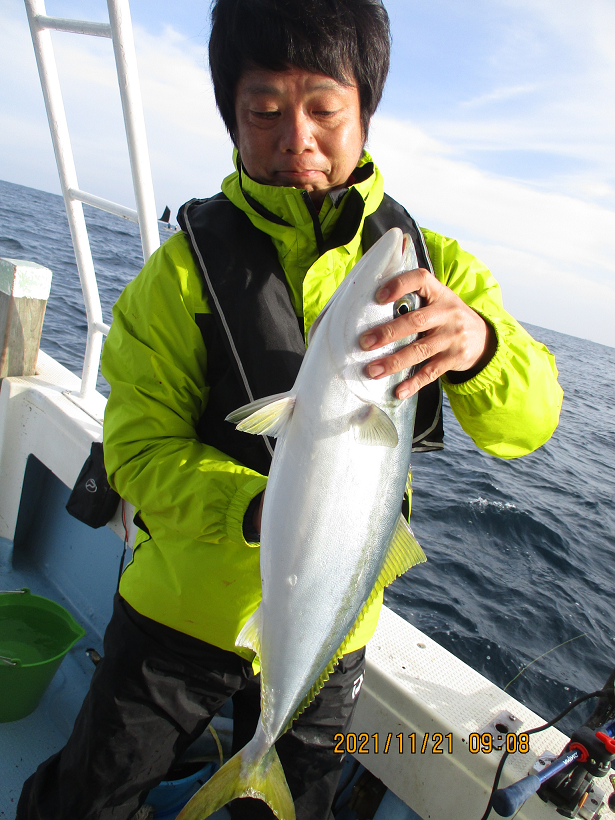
(254, 341)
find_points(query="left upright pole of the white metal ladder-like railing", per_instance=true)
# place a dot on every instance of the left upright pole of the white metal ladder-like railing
(54, 105)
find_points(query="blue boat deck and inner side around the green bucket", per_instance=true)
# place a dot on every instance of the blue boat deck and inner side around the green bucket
(47, 537)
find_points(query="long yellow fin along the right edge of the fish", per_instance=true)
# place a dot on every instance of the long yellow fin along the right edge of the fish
(404, 552)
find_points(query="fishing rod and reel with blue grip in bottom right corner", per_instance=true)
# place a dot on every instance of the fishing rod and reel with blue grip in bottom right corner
(567, 780)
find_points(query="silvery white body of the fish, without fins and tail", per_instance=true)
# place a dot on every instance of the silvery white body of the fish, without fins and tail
(332, 500)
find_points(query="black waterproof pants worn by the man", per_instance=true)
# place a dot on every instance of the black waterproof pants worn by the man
(151, 696)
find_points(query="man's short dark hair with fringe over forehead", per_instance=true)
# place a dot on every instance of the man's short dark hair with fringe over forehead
(348, 40)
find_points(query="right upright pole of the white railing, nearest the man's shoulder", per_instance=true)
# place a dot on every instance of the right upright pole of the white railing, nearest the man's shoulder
(132, 106)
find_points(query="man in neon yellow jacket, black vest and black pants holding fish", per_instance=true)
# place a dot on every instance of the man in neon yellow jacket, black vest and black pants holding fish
(218, 316)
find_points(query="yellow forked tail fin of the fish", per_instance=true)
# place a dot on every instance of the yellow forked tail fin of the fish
(245, 775)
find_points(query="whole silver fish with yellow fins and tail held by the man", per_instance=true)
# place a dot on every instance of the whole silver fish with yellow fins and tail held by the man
(332, 534)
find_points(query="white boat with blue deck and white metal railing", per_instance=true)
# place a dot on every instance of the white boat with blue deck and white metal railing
(429, 730)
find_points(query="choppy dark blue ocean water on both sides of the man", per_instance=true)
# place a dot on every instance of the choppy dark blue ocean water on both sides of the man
(521, 553)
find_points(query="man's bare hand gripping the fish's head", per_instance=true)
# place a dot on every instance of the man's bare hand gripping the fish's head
(455, 339)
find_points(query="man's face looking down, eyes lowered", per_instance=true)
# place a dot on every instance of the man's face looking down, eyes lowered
(298, 129)
